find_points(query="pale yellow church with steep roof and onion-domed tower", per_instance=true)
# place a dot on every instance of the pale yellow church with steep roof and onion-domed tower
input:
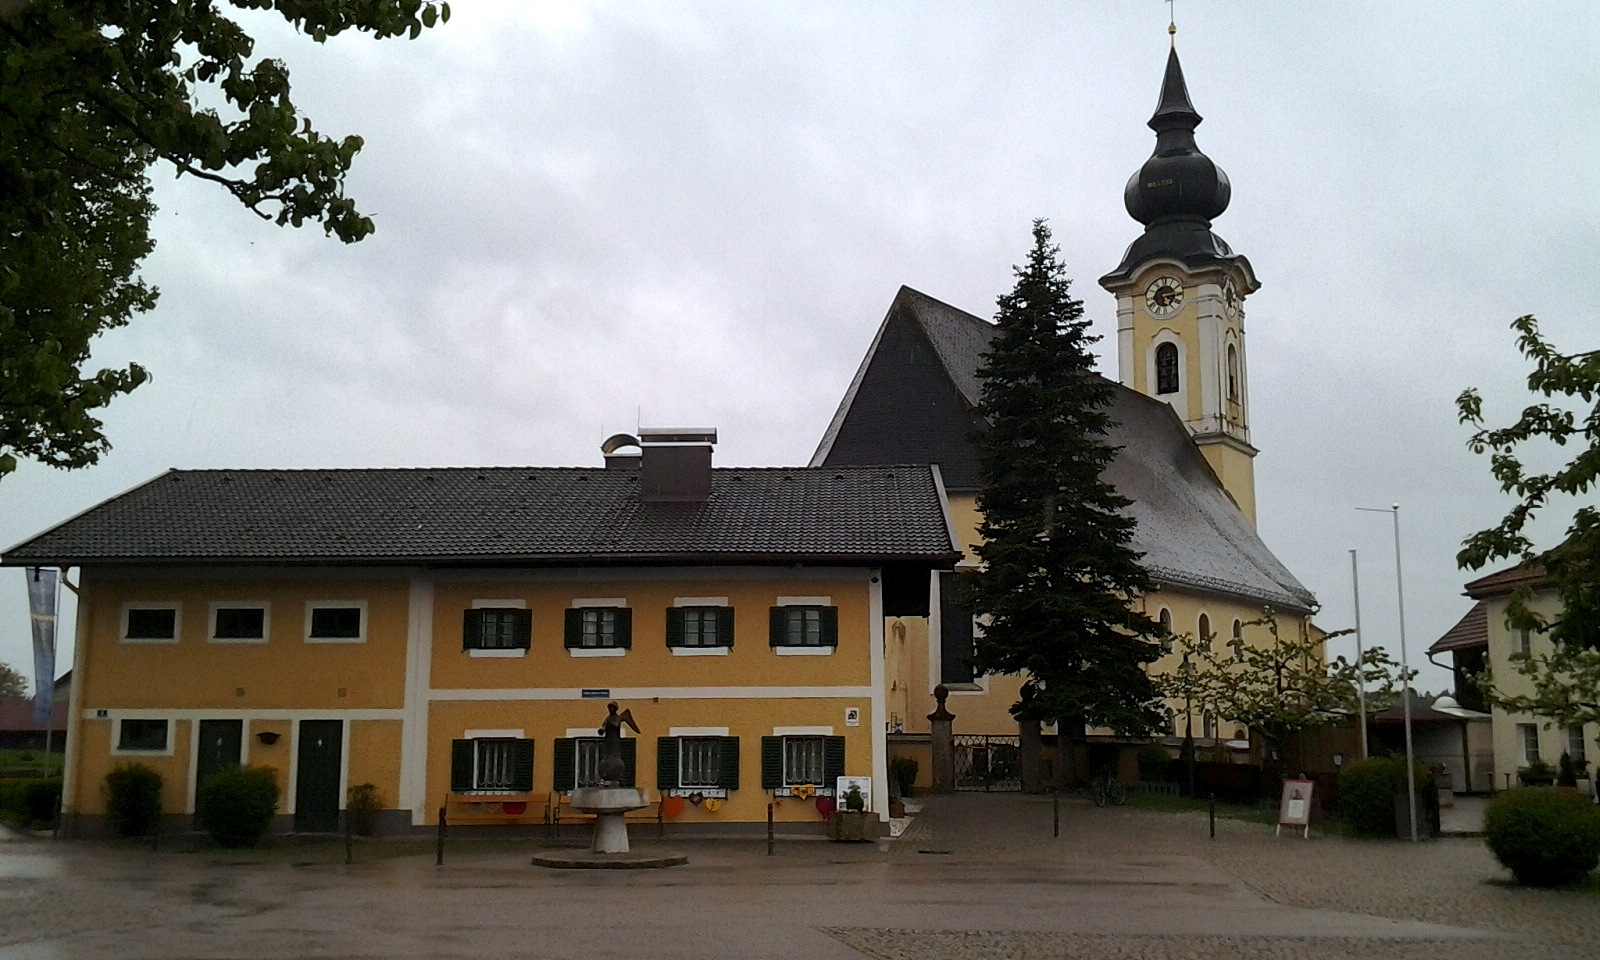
(1182, 422)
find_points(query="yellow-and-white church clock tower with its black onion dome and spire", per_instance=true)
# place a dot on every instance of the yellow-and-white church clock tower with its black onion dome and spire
(1182, 295)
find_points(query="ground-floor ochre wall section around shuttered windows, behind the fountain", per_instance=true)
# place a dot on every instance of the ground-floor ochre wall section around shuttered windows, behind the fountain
(750, 719)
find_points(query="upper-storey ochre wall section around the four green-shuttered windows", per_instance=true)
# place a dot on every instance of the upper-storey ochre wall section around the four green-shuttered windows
(650, 662)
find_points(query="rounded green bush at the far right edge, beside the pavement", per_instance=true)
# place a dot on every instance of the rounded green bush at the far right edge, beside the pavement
(1543, 838)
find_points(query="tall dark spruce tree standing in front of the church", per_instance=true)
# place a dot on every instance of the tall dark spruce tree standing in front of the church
(1058, 572)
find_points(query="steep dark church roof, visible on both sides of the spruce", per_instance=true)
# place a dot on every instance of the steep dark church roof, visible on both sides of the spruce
(916, 399)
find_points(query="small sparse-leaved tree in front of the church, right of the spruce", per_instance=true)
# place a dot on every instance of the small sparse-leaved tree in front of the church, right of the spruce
(1281, 686)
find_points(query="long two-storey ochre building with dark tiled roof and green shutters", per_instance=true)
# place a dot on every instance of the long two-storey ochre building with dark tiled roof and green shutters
(454, 636)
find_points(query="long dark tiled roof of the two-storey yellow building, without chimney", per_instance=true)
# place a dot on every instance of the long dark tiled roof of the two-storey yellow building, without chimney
(537, 516)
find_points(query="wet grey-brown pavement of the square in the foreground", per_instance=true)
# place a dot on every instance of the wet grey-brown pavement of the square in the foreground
(975, 878)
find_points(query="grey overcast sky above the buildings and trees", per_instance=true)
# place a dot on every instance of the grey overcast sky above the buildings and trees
(599, 215)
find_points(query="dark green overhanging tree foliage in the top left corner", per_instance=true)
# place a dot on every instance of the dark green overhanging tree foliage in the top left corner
(94, 94)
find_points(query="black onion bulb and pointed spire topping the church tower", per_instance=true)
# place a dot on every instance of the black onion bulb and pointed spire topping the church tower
(1178, 180)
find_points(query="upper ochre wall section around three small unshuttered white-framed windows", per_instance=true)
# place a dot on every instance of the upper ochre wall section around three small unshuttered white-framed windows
(284, 671)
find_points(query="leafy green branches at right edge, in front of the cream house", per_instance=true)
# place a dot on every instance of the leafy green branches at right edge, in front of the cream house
(1574, 567)
